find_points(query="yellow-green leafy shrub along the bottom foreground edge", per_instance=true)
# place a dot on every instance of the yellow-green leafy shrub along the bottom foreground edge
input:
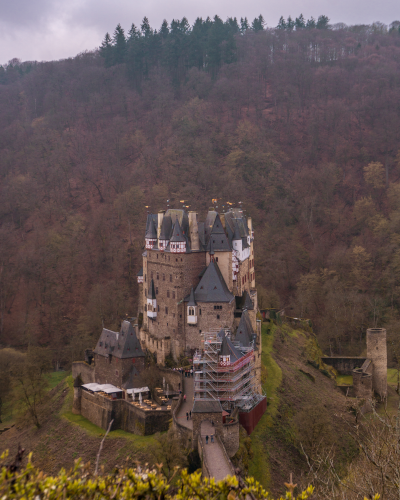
(124, 483)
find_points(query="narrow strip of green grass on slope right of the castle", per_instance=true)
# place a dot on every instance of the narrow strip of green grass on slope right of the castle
(259, 467)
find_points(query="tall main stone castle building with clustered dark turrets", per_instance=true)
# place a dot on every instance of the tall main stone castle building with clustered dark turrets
(197, 277)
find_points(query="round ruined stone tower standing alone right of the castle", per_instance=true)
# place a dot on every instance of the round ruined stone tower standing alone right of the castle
(377, 352)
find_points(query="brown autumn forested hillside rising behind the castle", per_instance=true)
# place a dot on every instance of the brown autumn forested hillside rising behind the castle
(300, 124)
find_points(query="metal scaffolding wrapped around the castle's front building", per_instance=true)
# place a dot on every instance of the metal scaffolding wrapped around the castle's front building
(217, 378)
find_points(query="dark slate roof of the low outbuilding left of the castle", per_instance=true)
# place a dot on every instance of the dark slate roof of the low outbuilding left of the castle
(121, 345)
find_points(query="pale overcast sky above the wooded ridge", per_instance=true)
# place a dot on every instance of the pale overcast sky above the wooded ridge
(55, 29)
